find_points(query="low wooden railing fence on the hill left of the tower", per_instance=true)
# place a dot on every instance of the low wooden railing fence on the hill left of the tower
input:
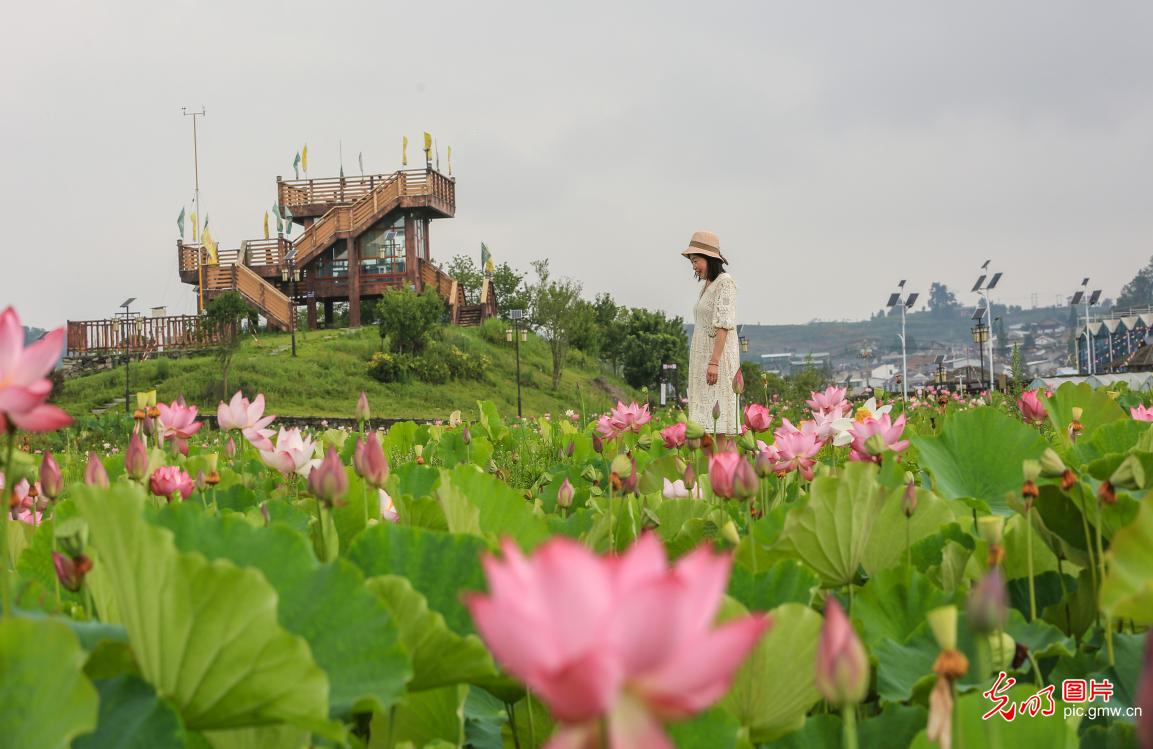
(140, 336)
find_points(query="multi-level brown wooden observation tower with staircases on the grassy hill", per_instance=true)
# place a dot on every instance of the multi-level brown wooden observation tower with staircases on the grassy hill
(363, 236)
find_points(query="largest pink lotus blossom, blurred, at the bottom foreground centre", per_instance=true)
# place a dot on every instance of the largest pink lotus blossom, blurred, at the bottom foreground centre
(623, 640)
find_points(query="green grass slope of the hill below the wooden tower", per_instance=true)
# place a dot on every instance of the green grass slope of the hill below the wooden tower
(331, 369)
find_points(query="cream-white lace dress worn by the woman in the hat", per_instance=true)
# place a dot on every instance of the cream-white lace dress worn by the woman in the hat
(717, 307)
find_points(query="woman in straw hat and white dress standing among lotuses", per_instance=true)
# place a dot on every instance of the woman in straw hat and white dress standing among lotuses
(714, 355)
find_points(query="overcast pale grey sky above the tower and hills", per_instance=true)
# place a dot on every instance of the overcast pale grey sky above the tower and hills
(834, 147)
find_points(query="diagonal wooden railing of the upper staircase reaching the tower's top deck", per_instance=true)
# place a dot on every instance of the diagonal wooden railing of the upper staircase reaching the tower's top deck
(342, 220)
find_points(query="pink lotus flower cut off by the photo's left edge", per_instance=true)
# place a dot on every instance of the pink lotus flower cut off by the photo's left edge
(25, 385)
